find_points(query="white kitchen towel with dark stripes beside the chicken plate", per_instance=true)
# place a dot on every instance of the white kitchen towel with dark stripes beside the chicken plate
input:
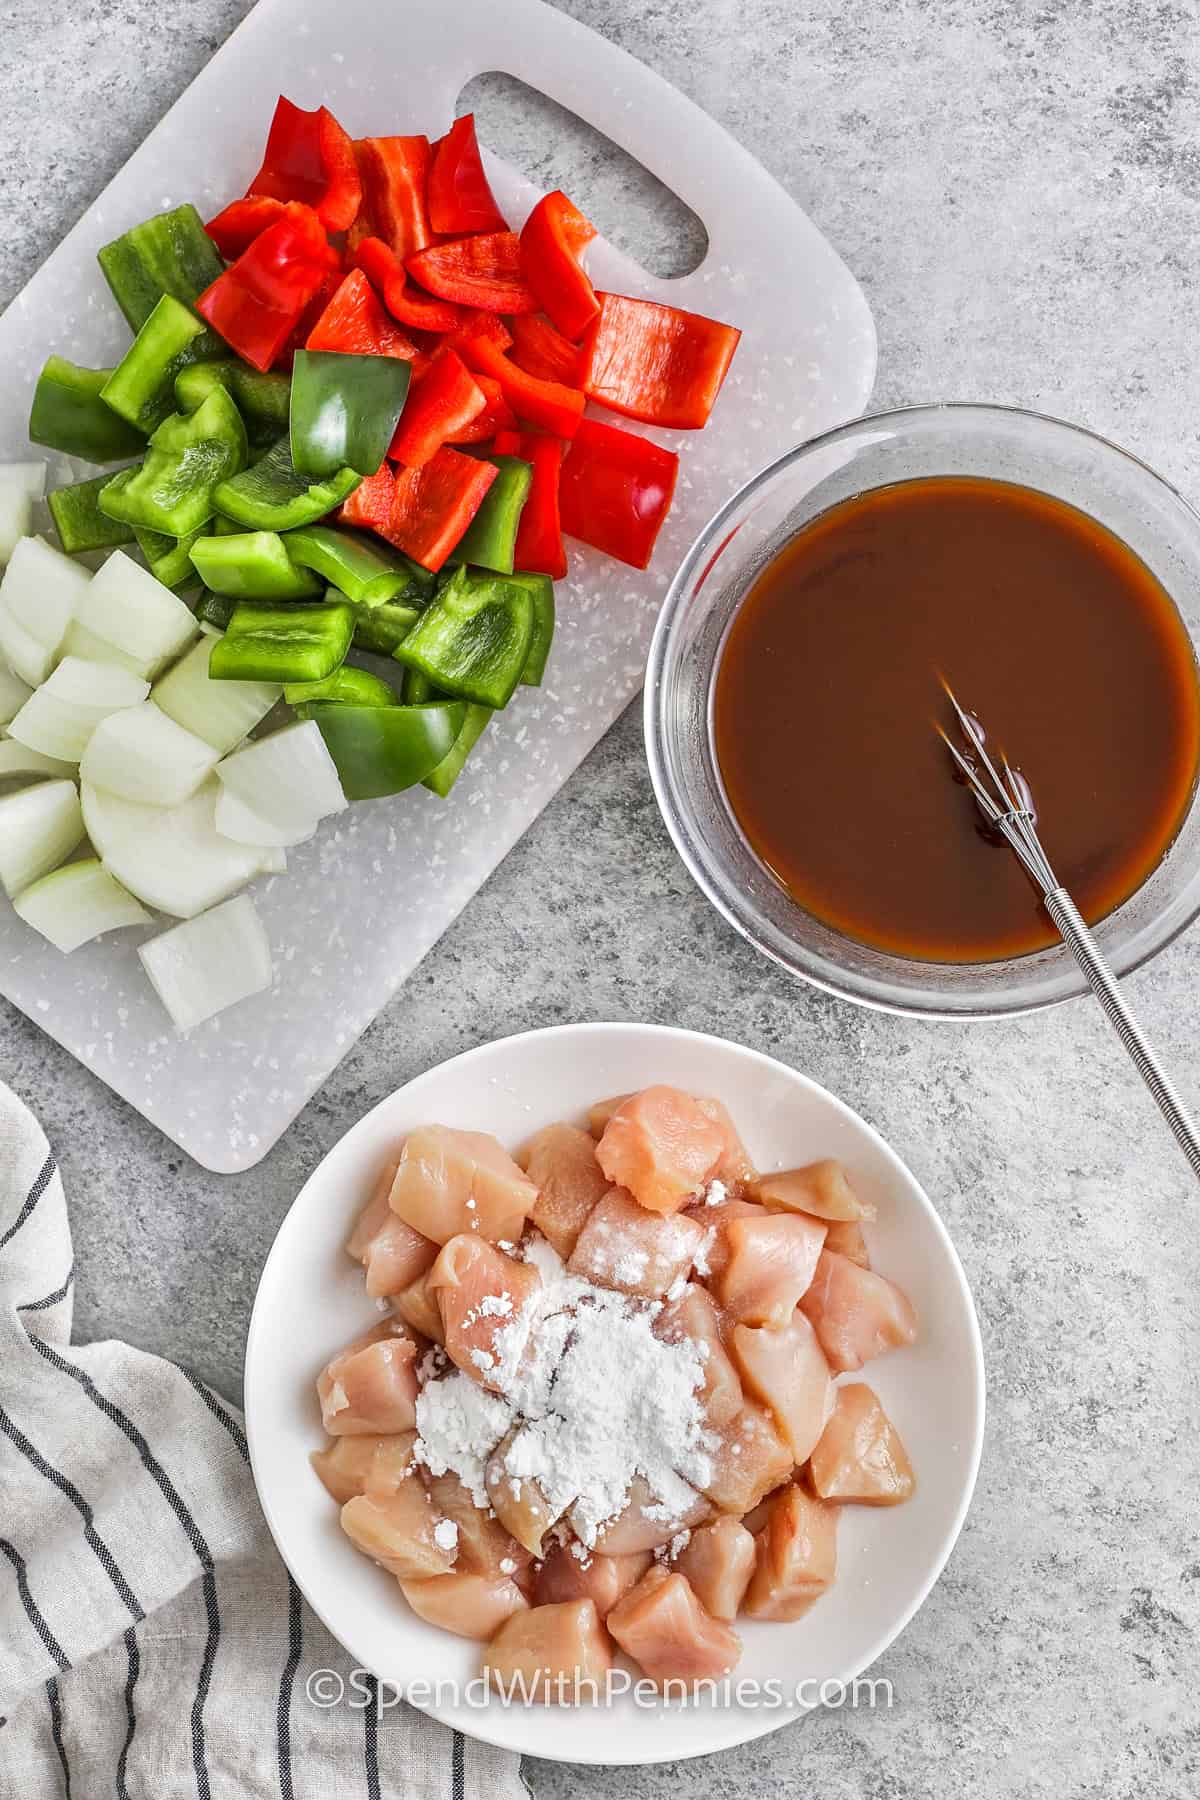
(152, 1642)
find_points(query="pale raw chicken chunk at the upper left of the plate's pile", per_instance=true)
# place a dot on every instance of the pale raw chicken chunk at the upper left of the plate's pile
(452, 1182)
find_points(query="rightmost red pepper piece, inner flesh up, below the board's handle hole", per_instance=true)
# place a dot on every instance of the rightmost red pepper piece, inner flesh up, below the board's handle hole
(656, 363)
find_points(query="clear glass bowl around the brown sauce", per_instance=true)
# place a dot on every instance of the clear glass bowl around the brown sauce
(1003, 444)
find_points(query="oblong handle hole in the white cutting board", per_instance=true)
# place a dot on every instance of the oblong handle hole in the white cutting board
(555, 148)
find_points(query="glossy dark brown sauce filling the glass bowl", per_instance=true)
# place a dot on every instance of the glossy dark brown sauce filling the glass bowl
(1044, 624)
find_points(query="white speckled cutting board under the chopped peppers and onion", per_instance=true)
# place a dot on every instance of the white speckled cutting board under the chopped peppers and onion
(364, 901)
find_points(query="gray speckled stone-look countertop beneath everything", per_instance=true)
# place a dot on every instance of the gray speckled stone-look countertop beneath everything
(1017, 186)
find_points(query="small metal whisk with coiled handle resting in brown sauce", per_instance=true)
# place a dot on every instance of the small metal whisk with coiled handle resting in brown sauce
(1005, 800)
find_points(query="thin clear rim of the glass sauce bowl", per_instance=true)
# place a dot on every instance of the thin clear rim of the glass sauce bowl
(1075, 985)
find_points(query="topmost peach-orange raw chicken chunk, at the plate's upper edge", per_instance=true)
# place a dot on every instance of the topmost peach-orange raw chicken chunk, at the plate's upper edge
(661, 1147)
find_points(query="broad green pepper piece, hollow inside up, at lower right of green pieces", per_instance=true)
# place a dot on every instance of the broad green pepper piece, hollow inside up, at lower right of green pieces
(474, 638)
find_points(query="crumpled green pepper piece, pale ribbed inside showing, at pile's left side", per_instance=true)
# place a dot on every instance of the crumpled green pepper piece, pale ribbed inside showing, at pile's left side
(188, 458)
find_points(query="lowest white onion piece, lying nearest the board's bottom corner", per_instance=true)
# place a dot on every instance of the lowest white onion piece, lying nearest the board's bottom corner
(210, 964)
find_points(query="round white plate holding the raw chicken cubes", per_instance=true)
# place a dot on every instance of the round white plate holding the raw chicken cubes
(312, 1300)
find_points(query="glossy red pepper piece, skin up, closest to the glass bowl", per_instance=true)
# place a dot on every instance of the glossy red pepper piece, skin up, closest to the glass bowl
(616, 490)
